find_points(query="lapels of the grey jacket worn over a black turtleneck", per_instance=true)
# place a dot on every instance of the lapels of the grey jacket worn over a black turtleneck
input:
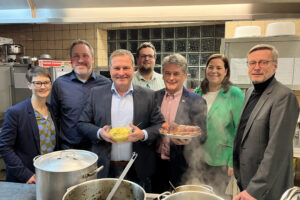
(264, 97)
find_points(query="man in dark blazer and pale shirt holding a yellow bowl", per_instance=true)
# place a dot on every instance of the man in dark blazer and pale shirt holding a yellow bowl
(122, 104)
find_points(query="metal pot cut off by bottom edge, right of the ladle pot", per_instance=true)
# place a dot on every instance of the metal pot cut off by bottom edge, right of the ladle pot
(192, 195)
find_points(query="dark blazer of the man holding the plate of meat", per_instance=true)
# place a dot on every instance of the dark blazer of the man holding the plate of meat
(191, 110)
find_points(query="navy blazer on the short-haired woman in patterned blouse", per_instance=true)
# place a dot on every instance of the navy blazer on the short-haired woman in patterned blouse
(20, 141)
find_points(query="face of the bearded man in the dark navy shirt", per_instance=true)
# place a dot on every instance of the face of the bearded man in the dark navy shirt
(82, 61)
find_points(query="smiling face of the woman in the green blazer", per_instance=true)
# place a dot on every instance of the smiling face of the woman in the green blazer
(215, 72)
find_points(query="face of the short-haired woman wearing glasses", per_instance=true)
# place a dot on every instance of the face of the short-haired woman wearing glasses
(40, 90)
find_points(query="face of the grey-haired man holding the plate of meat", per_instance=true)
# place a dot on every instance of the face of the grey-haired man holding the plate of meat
(174, 78)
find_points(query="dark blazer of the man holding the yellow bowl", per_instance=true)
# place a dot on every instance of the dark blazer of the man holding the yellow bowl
(97, 113)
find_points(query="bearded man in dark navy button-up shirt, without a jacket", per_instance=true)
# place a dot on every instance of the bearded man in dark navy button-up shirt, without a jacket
(70, 93)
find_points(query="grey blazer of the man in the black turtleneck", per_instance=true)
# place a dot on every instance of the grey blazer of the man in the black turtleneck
(265, 162)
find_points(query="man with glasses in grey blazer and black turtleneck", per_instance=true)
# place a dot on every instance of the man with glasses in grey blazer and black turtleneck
(263, 146)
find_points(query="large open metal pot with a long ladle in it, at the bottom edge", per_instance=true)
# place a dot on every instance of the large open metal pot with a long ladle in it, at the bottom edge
(100, 188)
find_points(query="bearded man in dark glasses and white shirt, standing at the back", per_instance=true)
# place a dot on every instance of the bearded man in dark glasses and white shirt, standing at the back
(146, 76)
